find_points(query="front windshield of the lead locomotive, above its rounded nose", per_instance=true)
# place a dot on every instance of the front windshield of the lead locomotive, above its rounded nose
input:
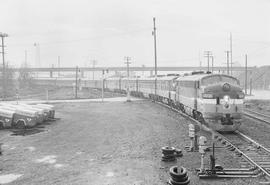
(219, 78)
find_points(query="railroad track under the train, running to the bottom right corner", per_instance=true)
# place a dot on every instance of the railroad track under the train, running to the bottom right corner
(255, 157)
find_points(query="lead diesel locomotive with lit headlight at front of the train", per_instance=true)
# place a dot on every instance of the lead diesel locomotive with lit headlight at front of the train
(214, 99)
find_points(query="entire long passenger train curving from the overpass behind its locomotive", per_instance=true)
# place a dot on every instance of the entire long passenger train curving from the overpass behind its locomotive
(216, 100)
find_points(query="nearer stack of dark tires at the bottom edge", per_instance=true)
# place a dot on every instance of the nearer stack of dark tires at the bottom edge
(178, 176)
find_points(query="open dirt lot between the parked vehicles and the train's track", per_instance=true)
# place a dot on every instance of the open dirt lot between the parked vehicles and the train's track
(110, 143)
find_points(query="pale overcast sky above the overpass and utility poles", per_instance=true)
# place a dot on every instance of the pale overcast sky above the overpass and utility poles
(107, 30)
